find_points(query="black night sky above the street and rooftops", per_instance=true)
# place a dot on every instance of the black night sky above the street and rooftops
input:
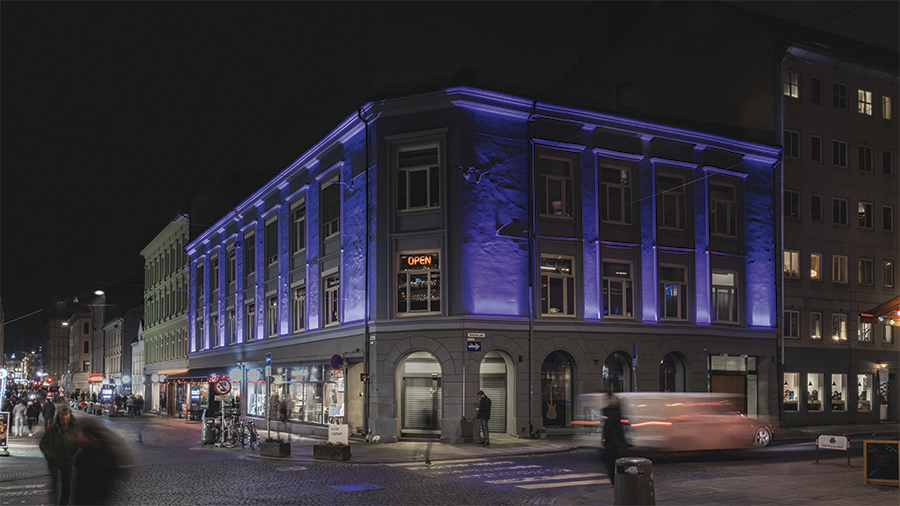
(114, 114)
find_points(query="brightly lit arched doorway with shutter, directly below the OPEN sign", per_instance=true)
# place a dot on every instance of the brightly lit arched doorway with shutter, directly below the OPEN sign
(420, 394)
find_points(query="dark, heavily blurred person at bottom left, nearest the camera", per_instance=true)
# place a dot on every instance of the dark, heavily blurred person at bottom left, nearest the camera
(99, 465)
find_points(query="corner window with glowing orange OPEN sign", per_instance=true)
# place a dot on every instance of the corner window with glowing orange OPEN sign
(419, 284)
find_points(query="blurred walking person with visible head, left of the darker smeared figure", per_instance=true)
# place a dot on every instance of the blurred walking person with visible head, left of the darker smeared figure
(59, 446)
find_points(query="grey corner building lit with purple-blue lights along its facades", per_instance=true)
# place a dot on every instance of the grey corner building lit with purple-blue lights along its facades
(438, 243)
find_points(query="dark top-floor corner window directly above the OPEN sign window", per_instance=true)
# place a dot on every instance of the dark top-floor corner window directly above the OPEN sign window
(418, 179)
